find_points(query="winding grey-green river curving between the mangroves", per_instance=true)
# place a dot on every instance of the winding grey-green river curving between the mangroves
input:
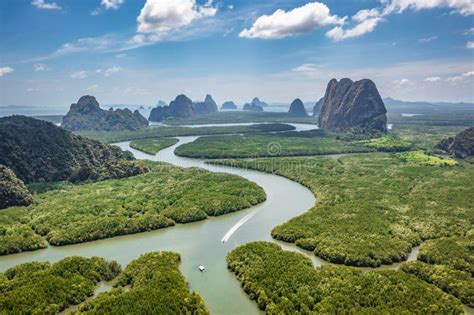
(201, 243)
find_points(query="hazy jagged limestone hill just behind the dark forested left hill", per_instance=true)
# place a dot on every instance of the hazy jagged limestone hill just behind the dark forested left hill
(86, 115)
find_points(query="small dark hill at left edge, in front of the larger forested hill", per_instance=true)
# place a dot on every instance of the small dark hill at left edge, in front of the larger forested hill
(13, 191)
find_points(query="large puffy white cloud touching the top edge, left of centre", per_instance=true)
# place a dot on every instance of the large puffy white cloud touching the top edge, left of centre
(160, 17)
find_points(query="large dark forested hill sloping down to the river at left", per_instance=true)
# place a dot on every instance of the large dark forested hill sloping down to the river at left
(37, 150)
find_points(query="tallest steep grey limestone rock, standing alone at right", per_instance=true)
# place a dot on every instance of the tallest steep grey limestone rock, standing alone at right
(352, 105)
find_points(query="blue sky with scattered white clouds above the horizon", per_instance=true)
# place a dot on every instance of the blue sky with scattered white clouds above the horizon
(140, 51)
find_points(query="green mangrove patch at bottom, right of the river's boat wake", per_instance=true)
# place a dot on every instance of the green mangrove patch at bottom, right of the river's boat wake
(284, 282)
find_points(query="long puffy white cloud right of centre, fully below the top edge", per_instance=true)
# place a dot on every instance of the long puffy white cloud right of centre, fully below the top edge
(289, 23)
